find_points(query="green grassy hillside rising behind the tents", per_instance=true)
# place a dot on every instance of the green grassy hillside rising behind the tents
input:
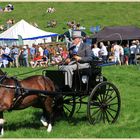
(87, 13)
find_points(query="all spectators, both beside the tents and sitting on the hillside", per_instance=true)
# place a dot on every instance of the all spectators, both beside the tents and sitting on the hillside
(43, 55)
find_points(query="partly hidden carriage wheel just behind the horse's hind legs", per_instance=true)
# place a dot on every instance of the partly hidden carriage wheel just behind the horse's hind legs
(69, 105)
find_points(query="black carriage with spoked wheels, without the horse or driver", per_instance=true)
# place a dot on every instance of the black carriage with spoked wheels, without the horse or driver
(103, 98)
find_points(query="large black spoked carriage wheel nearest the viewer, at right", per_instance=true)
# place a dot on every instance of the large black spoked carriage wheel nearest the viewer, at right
(104, 103)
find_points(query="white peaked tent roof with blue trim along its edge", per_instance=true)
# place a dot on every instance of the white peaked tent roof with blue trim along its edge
(26, 31)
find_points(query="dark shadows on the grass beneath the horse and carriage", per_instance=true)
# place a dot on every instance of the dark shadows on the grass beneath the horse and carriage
(34, 122)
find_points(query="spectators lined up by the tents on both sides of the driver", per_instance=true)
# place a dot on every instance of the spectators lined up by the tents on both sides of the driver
(44, 55)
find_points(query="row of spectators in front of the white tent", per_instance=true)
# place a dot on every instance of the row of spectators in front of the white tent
(36, 55)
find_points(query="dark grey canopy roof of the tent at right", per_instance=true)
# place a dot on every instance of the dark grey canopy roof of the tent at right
(118, 33)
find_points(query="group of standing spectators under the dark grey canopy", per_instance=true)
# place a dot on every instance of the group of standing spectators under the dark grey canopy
(121, 54)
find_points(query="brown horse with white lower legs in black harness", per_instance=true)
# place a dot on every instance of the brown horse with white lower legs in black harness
(13, 96)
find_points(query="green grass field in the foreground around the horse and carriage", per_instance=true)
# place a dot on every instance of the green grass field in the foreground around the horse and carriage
(26, 124)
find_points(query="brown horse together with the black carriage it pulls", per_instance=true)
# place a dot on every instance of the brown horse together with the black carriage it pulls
(49, 91)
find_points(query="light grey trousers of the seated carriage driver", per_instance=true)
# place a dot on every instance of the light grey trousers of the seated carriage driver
(70, 69)
